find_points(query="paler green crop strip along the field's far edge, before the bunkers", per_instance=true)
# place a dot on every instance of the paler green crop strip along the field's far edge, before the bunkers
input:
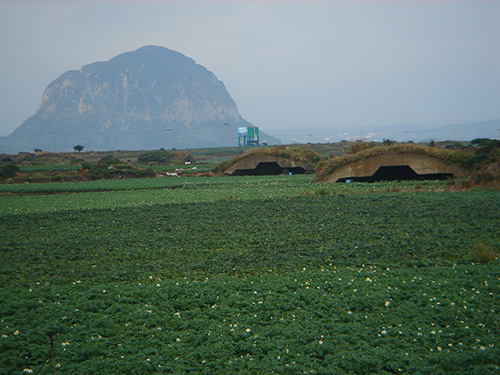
(142, 192)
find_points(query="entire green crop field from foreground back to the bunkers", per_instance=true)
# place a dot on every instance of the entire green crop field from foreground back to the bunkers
(252, 275)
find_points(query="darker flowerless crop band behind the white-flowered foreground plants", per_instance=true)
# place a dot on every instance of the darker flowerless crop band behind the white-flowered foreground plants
(188, 239)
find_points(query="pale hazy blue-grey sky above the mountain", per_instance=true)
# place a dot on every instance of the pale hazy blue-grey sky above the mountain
(297, 64)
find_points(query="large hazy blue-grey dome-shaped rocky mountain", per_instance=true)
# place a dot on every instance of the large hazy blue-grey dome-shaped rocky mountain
(146, 99)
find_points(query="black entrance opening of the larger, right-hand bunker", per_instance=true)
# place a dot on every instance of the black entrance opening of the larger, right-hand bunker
(397, 173)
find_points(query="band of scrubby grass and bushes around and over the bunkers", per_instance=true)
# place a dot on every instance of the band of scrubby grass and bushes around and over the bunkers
(479, 157)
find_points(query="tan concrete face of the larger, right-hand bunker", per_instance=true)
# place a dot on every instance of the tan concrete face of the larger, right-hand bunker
(395, 167)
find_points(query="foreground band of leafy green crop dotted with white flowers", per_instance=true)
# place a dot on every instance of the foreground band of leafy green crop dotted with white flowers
(344, 320)
